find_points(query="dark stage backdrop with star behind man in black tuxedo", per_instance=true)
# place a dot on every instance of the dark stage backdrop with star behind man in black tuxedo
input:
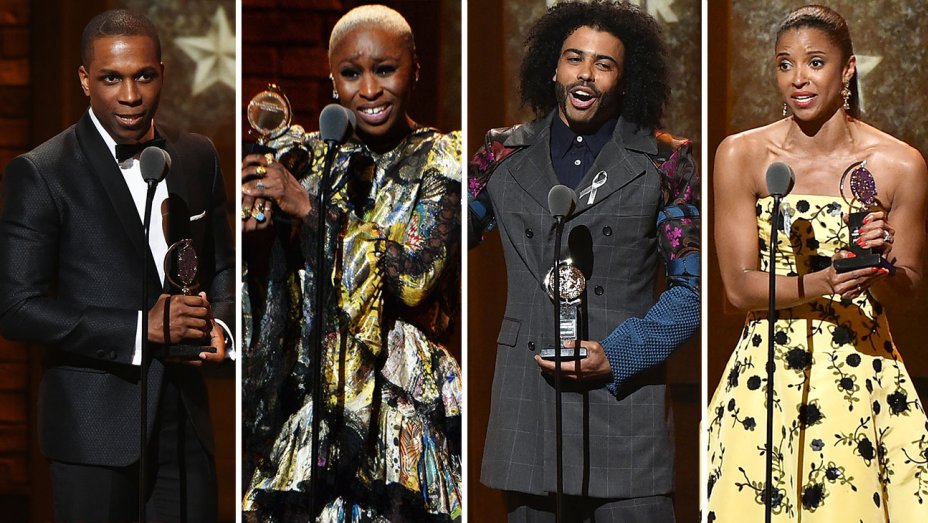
(39, 97)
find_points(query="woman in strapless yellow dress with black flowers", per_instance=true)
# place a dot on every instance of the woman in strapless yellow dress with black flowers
(850, 440)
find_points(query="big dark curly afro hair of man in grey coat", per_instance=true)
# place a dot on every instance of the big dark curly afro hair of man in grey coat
(645, 78)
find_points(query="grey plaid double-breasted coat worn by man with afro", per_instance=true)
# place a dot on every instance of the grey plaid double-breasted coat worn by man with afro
(614, 446)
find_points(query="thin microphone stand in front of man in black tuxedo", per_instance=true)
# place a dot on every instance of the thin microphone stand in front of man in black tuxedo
(146, 355)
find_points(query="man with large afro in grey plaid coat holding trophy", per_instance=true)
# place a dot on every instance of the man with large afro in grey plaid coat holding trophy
(595, 74)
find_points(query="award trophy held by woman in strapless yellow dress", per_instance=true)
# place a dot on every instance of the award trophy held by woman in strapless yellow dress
(863, 190)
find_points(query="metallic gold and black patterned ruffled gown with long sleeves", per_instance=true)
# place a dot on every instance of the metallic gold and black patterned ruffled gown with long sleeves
(390, 437)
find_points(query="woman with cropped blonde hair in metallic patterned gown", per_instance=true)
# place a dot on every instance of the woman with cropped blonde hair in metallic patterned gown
(390, 429)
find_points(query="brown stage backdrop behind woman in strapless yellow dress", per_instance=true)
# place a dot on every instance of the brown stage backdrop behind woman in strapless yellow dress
(743, 94)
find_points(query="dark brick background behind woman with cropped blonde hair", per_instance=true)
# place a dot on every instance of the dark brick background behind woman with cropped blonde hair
(286, 42)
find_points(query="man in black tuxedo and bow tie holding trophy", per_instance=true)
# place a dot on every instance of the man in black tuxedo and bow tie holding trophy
(72, 257)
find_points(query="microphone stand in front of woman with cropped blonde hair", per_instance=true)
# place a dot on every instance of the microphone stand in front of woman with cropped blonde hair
(321, 277)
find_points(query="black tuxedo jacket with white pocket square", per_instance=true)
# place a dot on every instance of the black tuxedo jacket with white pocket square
(72, 254)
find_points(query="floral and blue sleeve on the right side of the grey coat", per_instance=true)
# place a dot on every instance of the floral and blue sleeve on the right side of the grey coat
(641, 343)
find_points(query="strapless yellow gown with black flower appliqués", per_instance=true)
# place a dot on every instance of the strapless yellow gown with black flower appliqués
(850, 435)
